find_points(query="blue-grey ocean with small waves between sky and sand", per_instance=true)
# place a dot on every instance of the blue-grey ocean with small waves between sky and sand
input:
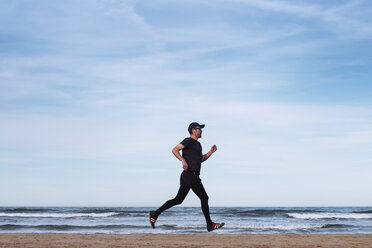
(237, 220)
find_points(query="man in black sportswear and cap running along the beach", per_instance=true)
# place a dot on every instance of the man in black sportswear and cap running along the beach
(191, 159)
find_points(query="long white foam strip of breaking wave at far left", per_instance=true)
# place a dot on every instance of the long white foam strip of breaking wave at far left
(59, 215)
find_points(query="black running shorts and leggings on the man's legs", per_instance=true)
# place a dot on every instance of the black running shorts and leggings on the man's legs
(189, 180)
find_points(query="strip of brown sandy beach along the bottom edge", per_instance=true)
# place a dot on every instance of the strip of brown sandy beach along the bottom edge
(186, 240)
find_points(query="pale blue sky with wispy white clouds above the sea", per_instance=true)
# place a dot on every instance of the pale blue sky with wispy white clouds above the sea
(95, 94)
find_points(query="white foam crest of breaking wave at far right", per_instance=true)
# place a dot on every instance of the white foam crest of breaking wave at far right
(331, 216)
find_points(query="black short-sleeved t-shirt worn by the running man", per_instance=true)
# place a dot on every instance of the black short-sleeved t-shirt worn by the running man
(192, 153)
